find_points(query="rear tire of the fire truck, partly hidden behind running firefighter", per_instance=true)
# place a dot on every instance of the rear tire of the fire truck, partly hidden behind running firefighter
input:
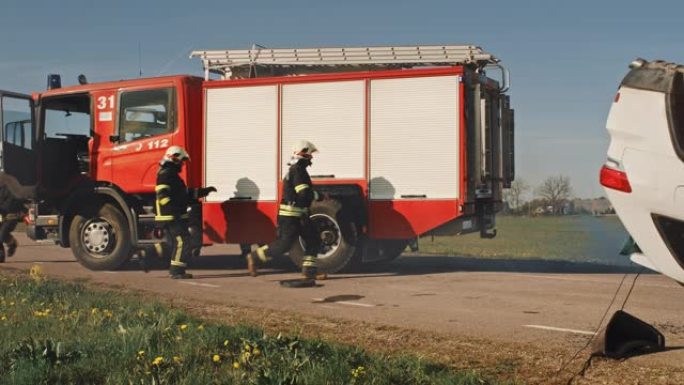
(338, 236)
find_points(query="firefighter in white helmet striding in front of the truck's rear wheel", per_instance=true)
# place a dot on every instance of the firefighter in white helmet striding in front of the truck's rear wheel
(293, 215)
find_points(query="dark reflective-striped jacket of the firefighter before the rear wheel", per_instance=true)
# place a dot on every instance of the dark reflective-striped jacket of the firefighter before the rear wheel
(298, 190)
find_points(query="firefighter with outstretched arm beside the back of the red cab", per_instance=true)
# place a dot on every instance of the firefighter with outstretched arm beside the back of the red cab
(173, 197)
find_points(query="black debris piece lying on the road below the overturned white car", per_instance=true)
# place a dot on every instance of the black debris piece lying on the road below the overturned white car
(626, 336)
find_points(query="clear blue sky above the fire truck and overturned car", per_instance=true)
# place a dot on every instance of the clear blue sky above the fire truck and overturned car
(566, 57)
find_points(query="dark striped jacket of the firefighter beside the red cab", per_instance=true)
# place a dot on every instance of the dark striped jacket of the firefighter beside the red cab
(172, 193)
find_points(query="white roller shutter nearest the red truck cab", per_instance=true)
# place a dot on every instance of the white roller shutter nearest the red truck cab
(241, 143)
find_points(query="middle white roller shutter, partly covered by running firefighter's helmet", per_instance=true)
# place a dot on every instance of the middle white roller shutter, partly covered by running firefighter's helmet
(330, 115)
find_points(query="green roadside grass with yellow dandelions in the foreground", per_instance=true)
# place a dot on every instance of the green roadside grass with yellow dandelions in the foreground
(61, 333)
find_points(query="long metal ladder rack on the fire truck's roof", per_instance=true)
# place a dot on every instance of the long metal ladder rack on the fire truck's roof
(294, 61)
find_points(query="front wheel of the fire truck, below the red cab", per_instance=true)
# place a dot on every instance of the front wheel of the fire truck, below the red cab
(100, 238)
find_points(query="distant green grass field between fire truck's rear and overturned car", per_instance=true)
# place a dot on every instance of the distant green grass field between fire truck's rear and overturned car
(574, 238)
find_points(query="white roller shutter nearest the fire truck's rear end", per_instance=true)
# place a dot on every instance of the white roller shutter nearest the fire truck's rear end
(414, 138)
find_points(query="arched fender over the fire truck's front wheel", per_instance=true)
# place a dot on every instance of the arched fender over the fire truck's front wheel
(90, 189)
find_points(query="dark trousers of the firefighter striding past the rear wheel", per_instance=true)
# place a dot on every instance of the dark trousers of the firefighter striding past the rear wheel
(288, 232)
